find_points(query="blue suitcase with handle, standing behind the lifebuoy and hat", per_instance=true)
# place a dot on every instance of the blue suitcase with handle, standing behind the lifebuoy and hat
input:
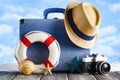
(38, 52)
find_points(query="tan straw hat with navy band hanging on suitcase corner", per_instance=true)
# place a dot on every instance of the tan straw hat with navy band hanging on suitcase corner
(81, 22)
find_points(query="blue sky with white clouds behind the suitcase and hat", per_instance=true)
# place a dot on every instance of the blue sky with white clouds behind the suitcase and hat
(13, 10)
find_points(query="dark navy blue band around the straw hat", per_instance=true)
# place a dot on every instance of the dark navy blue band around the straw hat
(75, 29)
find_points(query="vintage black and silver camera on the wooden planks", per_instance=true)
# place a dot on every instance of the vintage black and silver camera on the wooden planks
(95, 64)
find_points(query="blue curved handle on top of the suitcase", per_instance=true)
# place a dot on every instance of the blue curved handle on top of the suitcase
(52, 10)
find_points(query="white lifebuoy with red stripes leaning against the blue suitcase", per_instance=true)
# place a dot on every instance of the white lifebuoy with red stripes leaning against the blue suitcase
(39, 36)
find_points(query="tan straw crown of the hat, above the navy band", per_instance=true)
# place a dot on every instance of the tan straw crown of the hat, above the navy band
(87, 18)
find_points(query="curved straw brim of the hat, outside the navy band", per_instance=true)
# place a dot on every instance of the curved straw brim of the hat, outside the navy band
(71, 34)
